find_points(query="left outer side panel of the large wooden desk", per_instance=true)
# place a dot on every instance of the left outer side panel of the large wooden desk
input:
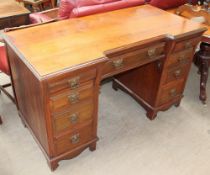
(30, 98)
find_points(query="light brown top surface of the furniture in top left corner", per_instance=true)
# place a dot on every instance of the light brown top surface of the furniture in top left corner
(11, 8)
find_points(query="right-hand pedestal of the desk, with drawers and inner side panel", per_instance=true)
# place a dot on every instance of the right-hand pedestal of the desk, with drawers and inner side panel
(160, 84)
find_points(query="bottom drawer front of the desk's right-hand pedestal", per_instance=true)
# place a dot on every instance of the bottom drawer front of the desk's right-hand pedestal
(170, 91)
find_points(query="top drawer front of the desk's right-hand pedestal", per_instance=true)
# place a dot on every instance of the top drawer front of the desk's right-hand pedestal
(186, 44)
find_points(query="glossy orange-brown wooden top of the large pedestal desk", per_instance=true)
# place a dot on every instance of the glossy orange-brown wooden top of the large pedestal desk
(53, 47)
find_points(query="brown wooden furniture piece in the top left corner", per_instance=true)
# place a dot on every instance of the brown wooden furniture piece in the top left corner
(12, 14)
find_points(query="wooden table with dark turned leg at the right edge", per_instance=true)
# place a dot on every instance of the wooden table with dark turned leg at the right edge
(202, 57)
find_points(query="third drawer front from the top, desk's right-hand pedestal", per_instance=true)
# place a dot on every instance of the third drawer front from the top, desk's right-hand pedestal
(177, 73)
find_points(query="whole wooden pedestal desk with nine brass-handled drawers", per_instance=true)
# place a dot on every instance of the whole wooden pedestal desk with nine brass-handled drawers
(57, 69)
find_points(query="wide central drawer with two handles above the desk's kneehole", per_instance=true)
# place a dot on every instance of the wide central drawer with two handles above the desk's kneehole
(135, 58)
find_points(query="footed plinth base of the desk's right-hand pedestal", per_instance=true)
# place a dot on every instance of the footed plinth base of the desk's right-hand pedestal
(151, 111)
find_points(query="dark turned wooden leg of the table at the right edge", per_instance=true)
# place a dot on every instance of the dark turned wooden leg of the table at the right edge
(202, 61)
